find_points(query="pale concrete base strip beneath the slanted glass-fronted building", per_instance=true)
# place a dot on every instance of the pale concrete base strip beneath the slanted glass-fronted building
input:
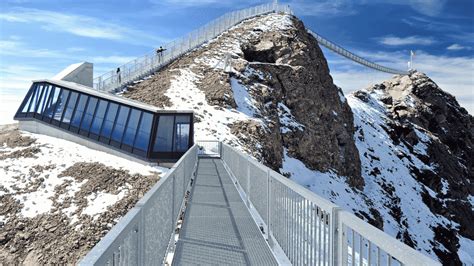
(39, 127)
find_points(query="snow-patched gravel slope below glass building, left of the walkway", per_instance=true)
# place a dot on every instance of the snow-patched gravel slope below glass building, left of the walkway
(57, 198)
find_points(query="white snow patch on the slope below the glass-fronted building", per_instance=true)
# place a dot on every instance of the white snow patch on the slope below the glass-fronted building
(13, 171)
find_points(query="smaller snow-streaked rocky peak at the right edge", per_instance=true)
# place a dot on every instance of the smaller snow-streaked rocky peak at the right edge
(432, 136)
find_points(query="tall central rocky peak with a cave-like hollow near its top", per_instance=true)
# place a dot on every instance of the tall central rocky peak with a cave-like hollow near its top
(294, 105)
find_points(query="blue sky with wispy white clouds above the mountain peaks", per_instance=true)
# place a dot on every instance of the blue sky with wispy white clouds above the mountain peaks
(40, 38)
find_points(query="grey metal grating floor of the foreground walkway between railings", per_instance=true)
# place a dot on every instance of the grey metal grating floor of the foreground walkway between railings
(218, 228)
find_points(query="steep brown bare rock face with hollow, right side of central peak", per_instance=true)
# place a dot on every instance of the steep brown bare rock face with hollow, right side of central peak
(299, 76)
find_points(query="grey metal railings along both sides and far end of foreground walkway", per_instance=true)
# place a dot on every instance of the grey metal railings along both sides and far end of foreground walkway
(309, 229)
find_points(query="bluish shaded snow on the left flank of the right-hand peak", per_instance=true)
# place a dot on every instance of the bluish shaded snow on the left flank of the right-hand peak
(377, 150)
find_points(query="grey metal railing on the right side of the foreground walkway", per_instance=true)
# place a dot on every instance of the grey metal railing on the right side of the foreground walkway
(310, 229)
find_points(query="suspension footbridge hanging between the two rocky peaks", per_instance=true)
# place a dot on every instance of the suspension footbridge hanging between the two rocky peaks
(339, 50)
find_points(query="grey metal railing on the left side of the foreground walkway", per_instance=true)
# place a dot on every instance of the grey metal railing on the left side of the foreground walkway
(144, 234)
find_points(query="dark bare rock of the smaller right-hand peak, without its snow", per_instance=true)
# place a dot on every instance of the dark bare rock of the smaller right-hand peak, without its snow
(414, 103)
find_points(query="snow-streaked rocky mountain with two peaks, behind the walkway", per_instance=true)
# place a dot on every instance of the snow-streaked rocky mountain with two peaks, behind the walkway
(398, 155)
